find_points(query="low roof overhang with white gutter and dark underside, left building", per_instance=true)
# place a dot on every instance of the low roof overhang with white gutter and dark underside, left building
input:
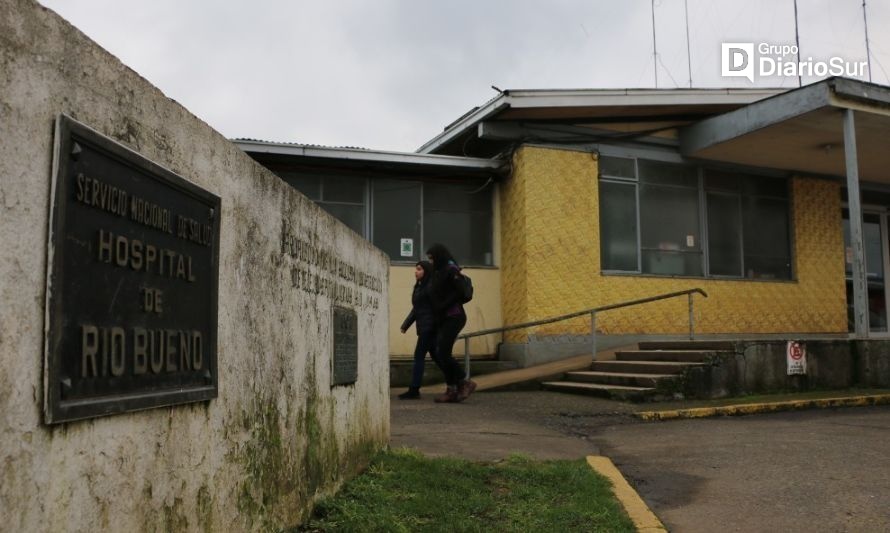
(325, 157)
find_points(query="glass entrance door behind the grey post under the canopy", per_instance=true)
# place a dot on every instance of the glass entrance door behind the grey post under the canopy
(875, 242)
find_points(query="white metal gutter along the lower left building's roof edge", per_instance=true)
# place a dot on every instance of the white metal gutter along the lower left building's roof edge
(370, 156)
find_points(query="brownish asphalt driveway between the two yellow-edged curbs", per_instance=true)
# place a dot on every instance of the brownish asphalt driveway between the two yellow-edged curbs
(823, 470)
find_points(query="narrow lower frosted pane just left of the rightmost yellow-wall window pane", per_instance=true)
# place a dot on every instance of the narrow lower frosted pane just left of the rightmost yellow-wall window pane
(724, 234)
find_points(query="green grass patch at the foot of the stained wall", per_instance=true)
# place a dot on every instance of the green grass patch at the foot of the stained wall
(404, 491)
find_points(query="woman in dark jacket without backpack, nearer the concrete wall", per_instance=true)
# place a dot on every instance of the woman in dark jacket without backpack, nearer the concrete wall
(421, 314)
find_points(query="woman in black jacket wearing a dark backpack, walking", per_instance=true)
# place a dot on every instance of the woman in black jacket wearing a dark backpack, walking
(444, 291)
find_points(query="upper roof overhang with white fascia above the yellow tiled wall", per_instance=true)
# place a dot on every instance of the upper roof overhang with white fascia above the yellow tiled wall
(588, 106)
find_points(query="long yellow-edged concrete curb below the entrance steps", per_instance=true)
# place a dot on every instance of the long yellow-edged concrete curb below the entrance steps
(767, 407)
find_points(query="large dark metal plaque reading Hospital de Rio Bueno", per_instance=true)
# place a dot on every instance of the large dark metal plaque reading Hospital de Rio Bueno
(132, 282)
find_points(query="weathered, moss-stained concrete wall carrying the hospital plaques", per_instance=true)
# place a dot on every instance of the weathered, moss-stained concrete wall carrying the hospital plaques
(278, 435)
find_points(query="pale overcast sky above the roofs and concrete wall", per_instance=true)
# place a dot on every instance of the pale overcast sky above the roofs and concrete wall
(390, 74)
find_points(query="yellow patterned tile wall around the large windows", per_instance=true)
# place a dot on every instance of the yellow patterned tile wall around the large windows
(551, 262)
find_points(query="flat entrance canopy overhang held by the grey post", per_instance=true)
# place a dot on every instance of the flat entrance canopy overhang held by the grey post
(800, 131)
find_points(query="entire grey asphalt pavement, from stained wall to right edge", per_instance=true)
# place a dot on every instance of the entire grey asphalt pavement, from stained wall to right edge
(820, 470)
